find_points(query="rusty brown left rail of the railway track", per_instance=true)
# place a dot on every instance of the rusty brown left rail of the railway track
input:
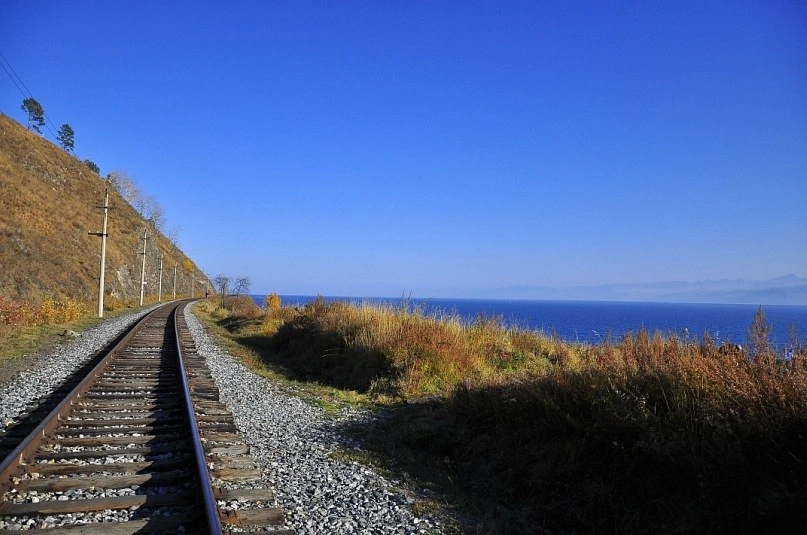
(25, 451)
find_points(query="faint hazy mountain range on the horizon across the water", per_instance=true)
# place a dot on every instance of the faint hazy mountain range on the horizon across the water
(786, 290)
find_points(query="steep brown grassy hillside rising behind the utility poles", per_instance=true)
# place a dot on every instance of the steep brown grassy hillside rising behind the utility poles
(49, 201)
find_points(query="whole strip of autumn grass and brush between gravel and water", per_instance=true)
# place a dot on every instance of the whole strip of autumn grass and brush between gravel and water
(646, 434)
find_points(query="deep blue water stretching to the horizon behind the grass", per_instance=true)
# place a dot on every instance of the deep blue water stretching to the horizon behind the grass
(593, 321)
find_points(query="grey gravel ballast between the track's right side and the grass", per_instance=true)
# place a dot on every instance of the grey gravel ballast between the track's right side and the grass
(292, 441)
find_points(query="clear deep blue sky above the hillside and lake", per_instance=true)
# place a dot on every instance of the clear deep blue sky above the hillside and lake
(436, 148)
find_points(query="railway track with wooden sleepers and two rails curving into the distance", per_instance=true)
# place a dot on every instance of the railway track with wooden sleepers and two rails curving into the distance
(141, 444)
